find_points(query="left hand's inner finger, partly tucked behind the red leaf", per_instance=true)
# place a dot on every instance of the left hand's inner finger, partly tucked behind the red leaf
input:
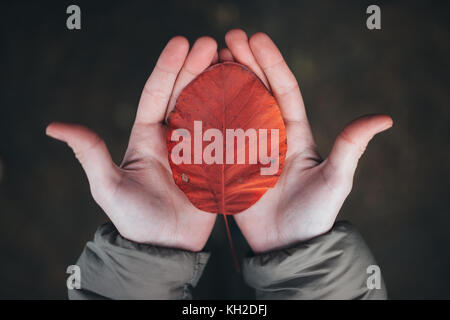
(200, 58)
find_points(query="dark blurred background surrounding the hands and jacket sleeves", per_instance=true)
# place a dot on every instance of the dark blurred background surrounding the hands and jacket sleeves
(95, 76)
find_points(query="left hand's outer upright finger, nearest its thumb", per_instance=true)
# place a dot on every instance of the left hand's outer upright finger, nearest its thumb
(156, 94)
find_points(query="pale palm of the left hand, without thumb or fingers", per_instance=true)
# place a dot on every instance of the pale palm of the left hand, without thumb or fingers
(149, 196)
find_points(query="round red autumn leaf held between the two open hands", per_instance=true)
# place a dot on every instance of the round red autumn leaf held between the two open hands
(225, 96)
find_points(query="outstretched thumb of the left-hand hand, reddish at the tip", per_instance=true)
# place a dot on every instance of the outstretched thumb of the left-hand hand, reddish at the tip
(89, 149)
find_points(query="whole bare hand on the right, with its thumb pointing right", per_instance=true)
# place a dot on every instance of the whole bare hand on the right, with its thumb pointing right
(310, 192)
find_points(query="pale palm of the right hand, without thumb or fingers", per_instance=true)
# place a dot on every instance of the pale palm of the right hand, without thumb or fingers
(289, 212)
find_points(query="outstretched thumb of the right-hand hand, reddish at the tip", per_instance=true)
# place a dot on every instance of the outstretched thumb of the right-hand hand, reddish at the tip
(352, 142)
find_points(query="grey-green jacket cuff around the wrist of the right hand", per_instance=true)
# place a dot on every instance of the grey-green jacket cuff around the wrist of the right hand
(331, 266)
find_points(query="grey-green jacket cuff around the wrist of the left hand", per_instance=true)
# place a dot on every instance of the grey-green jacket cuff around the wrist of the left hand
(116, 268)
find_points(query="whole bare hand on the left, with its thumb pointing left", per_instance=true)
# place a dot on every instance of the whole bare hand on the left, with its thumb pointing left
(140, 197)
